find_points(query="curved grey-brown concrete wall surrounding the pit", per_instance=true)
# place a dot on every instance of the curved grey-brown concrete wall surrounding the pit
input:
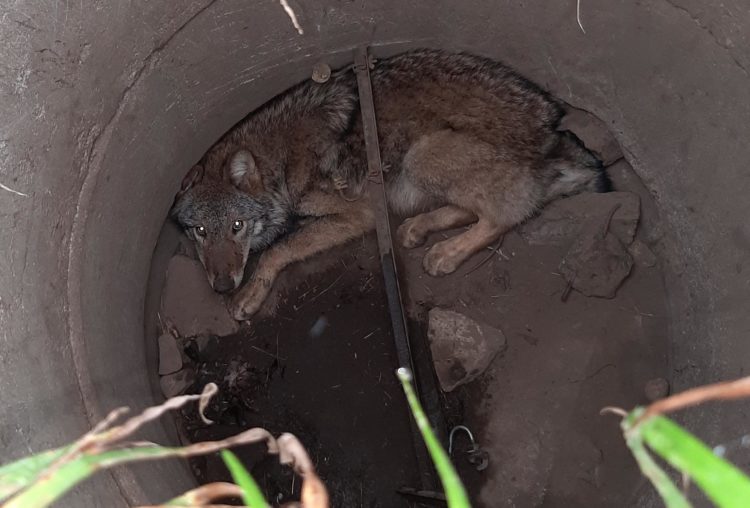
(104, 105)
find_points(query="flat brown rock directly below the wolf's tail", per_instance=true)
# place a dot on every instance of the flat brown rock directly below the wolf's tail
(563, 220)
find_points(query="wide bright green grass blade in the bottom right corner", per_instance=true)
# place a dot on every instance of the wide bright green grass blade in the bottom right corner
(721, 481)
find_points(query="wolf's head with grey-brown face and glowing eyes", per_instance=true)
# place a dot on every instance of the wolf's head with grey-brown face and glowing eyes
(229, 217)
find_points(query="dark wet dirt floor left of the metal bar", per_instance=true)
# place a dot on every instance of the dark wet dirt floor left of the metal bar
(323, 368)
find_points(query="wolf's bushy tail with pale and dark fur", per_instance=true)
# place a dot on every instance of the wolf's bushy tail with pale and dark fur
(573, 169)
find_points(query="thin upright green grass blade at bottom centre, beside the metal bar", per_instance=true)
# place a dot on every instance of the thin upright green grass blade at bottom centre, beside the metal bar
(454, 489)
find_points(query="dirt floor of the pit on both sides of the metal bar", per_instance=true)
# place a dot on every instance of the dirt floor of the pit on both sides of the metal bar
(319, 362)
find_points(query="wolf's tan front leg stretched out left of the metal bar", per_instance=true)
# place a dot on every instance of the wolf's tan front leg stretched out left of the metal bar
(333, 221)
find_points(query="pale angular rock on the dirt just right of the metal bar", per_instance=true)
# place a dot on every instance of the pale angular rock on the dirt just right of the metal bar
(461, 348)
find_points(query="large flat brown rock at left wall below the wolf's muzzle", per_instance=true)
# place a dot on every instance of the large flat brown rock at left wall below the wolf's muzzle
(189, 302)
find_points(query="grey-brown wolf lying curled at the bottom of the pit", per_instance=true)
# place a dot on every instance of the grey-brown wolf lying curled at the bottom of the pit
(465, 140)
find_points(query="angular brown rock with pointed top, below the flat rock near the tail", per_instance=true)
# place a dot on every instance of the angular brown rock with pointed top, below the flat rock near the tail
(597, 263)
